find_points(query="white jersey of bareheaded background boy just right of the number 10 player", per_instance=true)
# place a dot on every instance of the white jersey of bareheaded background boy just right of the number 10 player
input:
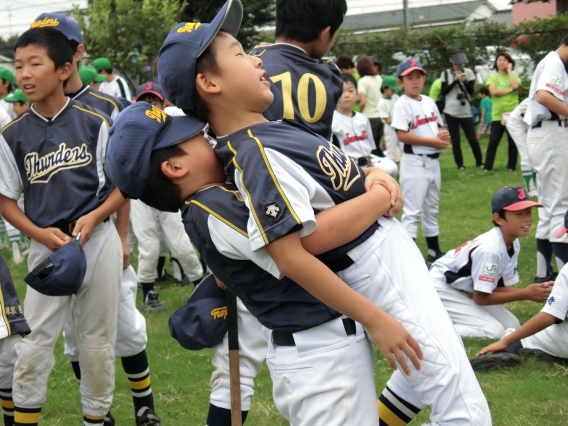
(353, 133)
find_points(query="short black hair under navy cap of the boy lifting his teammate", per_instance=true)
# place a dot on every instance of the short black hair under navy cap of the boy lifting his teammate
(161, 192)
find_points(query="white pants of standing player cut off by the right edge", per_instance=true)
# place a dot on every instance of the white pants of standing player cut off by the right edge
(547, 147)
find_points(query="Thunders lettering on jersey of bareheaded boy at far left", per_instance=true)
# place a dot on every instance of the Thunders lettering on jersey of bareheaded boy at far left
(41, 169)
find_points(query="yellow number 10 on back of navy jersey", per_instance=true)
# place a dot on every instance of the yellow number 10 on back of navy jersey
(302, 95)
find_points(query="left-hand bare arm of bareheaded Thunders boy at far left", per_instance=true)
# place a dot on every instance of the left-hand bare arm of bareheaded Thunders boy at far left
(52, 238)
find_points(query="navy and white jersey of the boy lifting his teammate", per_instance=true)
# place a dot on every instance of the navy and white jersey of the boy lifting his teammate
(216, 221)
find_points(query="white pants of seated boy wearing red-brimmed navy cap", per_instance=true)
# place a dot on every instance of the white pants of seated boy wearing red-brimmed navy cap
(469, 318)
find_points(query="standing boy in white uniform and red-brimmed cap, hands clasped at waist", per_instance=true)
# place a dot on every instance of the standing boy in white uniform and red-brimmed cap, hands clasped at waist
(417, 122)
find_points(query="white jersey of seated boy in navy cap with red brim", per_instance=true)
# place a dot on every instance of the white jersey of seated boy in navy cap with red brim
(481, 264)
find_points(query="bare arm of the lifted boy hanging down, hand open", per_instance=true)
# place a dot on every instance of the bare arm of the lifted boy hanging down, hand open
(300, 266)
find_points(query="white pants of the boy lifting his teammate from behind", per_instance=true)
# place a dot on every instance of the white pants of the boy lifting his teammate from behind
(327, 379)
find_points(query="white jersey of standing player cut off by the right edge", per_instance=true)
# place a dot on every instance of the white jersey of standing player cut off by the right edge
(550, 75)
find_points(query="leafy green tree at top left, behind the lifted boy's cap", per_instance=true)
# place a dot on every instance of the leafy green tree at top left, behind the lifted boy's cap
(128, 32)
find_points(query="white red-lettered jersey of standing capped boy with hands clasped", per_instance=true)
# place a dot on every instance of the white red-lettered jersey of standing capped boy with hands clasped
(420, 117)
